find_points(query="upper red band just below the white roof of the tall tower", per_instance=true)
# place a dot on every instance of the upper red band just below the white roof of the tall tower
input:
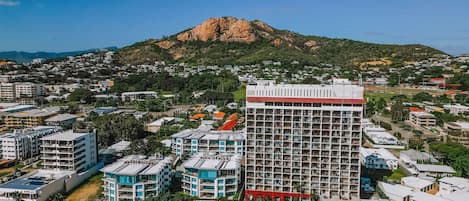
(306, 100)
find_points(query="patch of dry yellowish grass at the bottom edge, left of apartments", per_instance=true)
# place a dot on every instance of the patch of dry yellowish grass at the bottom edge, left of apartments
(89, 190)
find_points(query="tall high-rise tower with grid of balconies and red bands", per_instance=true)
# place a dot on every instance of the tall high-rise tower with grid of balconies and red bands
(303, 141)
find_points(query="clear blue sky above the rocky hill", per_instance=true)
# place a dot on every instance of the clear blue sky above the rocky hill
(64, 25)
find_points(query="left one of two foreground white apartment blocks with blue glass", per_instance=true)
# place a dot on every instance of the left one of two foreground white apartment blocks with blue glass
(136, 177)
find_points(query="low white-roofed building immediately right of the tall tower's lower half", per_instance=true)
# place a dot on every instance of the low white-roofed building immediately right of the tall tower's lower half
(378, 159)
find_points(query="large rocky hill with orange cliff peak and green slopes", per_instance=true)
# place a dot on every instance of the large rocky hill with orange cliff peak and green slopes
(229, 40)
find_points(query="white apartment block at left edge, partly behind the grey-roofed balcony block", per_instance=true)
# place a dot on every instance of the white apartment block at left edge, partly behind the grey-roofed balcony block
(24, 143)
